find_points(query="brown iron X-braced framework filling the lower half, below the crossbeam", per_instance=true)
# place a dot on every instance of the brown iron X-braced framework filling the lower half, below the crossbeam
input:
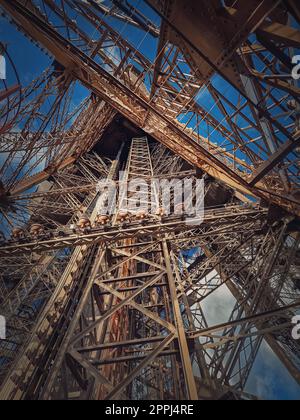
(131, 305)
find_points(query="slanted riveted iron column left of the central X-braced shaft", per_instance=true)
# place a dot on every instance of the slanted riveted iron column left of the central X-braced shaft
(25, 381)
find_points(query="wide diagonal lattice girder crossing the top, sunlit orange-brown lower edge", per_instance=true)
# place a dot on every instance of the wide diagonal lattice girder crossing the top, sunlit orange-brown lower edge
(120, 80)
